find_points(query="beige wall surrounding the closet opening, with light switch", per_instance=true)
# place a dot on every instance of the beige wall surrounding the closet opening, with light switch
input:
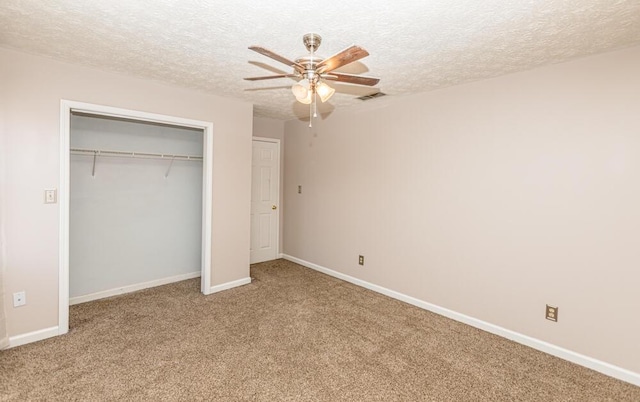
(31, 90)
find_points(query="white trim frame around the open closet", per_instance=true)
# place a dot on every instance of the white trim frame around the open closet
(66, 109)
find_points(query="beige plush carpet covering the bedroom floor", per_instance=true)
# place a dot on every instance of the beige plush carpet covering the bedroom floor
(291, 335)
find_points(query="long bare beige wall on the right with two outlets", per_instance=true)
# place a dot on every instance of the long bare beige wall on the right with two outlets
(491, 199)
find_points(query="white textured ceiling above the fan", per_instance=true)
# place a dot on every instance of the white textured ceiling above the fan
(415, 45)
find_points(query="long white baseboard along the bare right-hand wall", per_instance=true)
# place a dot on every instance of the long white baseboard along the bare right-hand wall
(577, 358)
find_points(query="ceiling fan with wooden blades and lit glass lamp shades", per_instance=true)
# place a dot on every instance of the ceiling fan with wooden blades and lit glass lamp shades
(312, 70)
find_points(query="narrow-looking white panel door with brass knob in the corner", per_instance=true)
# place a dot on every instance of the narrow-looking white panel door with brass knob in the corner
(265, 188)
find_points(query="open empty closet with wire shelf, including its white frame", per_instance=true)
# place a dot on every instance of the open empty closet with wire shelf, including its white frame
(135, 200)
